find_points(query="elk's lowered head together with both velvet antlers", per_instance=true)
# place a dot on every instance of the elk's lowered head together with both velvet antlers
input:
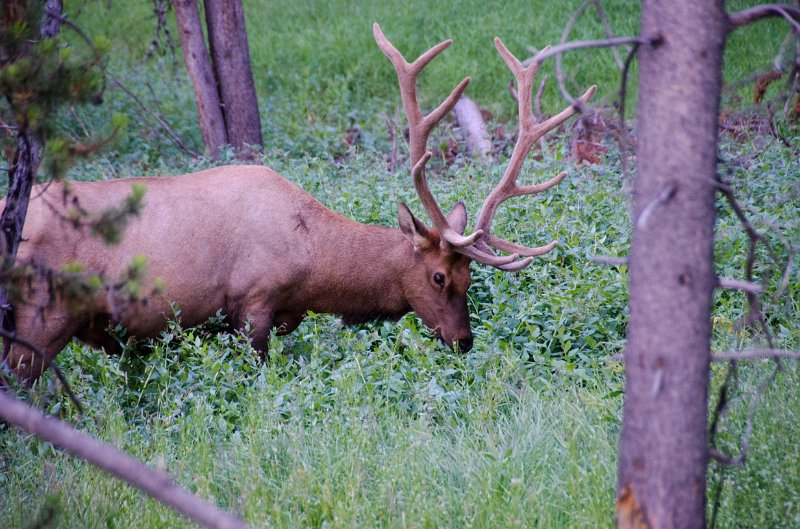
(444, 251)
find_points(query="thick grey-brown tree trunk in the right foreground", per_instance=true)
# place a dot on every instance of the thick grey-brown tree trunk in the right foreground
(663, 450)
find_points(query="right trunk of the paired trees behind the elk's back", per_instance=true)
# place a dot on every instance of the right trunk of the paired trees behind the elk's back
(231, 57)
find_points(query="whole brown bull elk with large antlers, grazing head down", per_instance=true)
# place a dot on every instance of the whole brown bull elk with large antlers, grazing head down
(245, 240)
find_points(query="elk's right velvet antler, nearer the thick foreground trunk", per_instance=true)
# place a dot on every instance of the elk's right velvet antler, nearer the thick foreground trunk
(529, 133)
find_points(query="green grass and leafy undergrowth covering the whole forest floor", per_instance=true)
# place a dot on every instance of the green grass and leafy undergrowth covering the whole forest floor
(378, 425)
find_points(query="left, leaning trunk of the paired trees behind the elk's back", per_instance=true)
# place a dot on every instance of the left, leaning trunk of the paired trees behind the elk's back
(198, 64)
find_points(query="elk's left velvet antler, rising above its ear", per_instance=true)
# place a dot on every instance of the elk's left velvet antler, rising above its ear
(420, 126)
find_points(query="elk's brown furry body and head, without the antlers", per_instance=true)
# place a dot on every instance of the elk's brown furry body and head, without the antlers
(242, 239)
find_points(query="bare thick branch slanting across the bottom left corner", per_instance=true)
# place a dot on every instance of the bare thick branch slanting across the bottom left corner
(117, 463)
